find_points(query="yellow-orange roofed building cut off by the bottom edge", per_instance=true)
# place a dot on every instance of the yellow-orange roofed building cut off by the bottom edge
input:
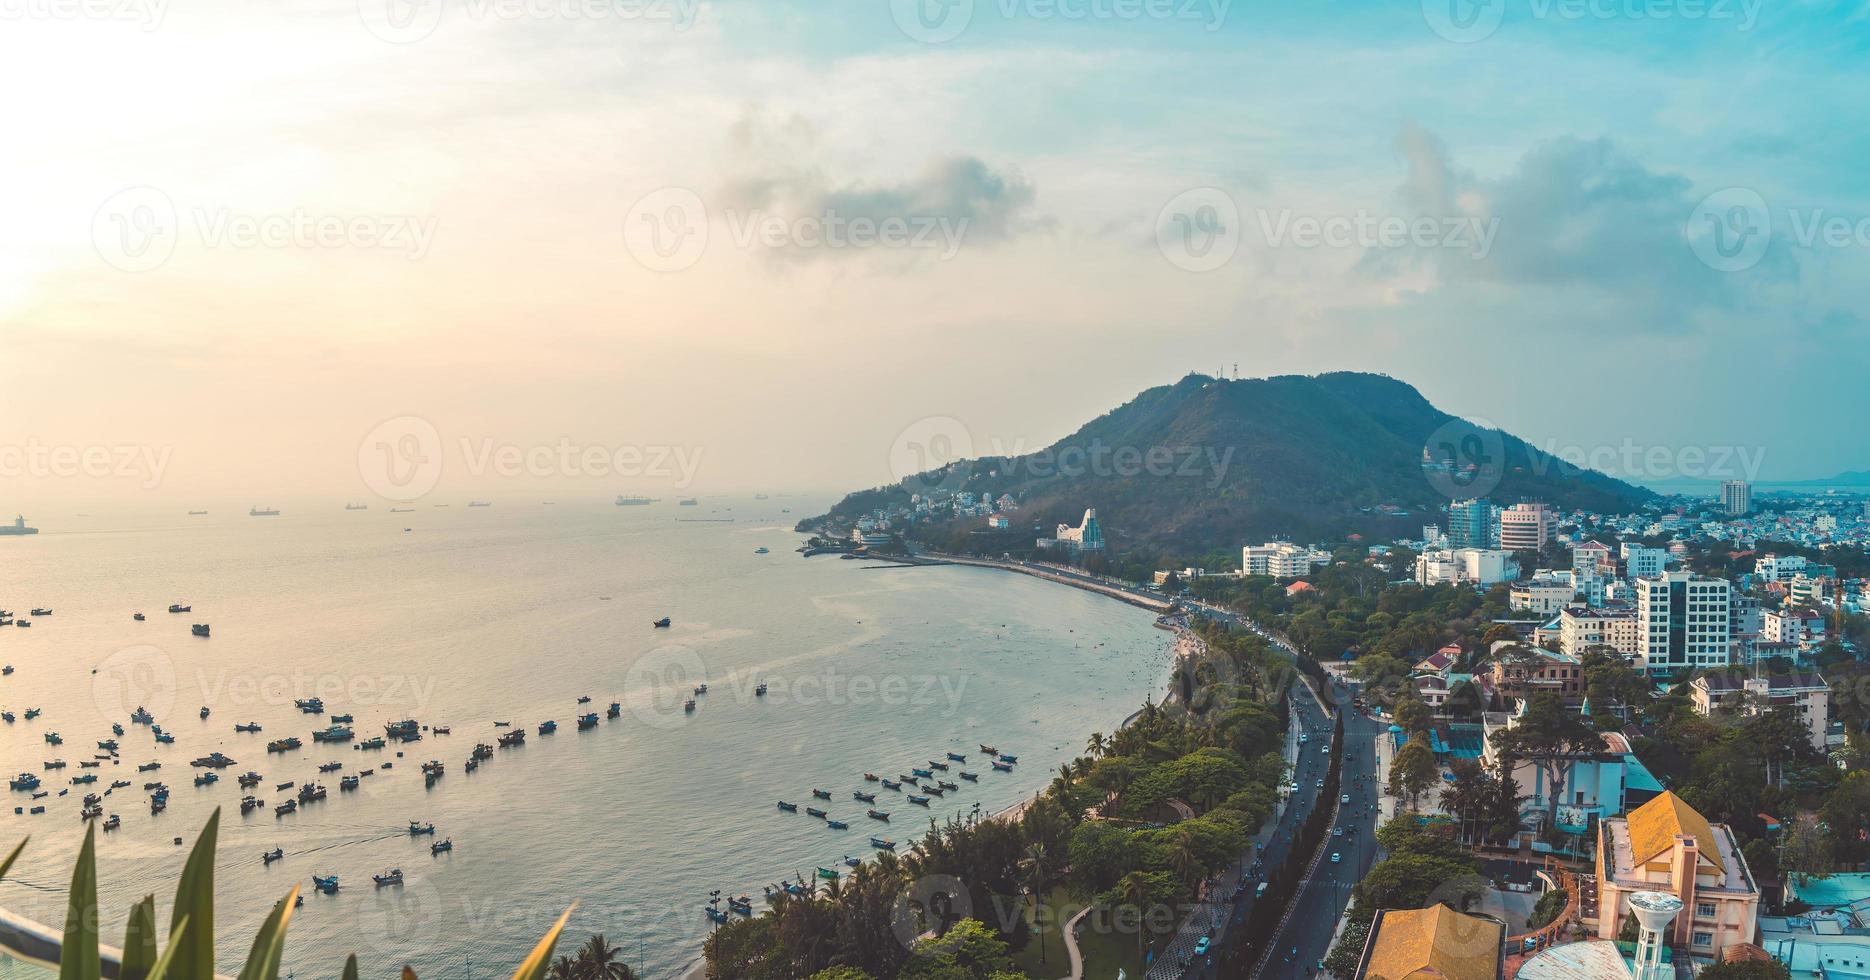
(1435, 944)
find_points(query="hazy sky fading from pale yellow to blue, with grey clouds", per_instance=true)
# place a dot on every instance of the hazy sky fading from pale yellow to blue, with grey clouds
(386, 250)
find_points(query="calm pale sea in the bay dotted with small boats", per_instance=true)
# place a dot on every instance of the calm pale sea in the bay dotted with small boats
(511, 612)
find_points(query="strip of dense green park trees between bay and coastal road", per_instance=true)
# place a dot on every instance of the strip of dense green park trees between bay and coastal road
(1130, 829)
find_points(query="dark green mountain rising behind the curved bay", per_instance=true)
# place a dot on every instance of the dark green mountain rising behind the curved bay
(1209, 465)
